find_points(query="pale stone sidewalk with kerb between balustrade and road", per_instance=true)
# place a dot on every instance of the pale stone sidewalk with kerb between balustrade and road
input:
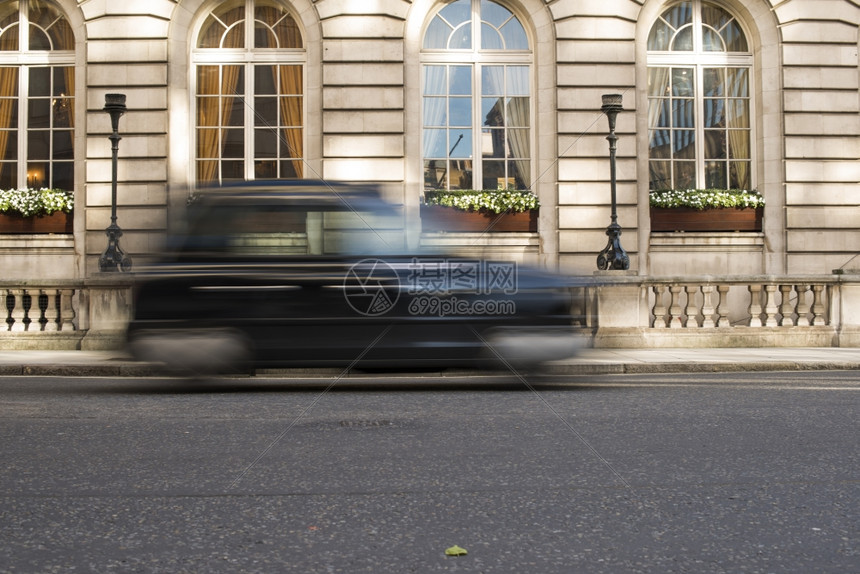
(588, 361)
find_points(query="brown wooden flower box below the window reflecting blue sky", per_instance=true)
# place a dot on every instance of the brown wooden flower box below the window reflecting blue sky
(436, 218)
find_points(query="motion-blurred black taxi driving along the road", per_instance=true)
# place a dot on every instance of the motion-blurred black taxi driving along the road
(308, 273)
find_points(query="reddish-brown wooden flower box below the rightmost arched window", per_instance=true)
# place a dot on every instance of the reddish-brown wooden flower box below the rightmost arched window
(721, 219)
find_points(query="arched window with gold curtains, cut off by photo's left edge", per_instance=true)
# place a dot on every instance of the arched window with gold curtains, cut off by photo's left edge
(37, 96)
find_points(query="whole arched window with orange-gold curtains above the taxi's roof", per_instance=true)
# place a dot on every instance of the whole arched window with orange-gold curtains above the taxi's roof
(248, 73)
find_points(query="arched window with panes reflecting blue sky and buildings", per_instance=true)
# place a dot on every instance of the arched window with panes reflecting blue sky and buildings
(477, 105)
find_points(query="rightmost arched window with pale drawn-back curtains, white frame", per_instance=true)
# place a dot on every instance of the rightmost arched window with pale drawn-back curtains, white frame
(699, 105)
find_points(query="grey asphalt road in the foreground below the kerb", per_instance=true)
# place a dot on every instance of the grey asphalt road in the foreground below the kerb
(658, 473)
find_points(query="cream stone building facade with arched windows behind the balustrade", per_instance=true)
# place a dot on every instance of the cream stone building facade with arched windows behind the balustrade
(379, 90)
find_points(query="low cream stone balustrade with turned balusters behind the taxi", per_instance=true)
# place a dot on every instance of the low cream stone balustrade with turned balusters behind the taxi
(612, 310)
